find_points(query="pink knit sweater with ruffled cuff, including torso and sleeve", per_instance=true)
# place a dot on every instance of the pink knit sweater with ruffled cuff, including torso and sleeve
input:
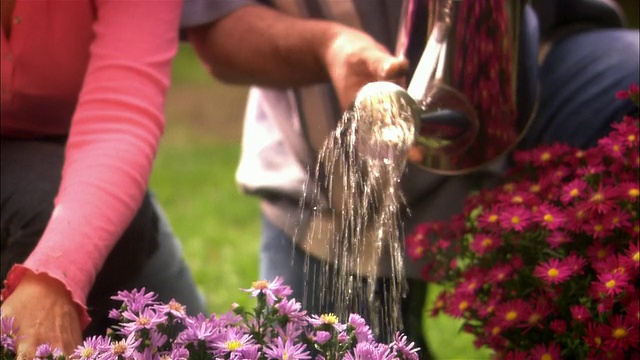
(98, 71)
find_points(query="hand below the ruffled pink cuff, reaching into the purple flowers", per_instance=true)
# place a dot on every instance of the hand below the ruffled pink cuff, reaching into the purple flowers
(45, 313)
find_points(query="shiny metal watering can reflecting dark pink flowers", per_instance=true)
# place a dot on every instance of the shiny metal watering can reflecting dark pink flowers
(474, 90)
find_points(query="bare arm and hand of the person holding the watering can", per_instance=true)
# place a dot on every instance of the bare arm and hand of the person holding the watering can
(258, 45)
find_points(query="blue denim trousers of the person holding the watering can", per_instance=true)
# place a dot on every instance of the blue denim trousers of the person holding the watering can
(578, 80)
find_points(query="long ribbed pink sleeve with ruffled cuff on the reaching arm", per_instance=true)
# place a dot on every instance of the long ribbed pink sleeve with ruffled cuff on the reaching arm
(112, 143)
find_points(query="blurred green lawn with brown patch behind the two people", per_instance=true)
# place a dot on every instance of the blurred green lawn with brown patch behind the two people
(219, 226)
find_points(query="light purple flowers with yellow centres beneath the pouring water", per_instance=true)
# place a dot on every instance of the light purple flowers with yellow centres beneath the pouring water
(276, 328)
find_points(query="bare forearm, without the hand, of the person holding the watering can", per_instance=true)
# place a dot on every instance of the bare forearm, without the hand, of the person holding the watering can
(258, 45)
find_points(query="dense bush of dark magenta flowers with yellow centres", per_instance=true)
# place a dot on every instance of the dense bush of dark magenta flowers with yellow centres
(546, 265)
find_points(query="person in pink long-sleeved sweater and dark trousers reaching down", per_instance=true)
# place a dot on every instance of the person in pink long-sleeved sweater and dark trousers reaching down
(83, 92)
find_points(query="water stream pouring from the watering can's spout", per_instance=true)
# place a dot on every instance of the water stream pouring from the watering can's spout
(357, 205)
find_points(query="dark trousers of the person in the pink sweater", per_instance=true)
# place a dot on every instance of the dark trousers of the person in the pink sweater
(147, 255)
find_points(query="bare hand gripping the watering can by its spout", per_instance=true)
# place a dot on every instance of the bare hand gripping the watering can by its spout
(355, 59)
